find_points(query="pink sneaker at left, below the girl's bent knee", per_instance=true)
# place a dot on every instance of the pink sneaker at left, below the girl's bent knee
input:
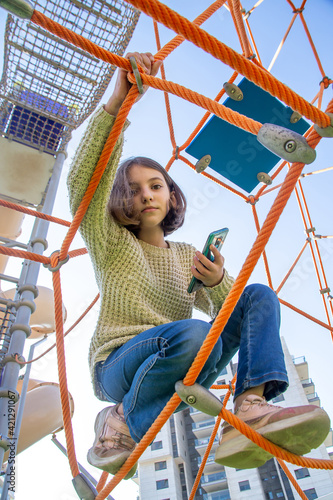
(113, 443)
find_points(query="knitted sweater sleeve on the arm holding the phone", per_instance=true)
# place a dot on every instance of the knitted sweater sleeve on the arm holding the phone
(210, 300)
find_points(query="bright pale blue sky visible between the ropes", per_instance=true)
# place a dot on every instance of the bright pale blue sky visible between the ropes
(42, 470)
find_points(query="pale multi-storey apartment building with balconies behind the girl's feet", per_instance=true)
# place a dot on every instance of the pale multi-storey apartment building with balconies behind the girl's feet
(168, 468)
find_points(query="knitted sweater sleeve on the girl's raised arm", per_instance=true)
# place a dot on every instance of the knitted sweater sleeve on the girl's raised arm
(97, 227)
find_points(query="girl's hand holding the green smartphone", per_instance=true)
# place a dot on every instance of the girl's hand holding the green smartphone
(210, 273)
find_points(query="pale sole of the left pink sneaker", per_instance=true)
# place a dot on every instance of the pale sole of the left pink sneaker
(108, 464)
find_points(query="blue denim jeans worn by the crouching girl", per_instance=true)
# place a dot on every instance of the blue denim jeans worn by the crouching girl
(142, 373)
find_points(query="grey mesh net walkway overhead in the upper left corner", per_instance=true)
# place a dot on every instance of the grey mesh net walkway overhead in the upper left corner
(49, 87)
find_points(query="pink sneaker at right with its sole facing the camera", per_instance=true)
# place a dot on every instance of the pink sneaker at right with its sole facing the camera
(298, 430)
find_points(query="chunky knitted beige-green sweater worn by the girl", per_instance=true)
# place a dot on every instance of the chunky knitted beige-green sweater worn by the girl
(141, 286)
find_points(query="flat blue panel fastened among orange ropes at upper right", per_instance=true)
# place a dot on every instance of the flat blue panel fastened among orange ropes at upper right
(236, 154)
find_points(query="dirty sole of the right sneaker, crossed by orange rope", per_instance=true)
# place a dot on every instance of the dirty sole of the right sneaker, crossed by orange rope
(300, 436)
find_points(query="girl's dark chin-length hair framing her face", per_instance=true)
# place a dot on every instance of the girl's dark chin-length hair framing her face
(120, 204)
